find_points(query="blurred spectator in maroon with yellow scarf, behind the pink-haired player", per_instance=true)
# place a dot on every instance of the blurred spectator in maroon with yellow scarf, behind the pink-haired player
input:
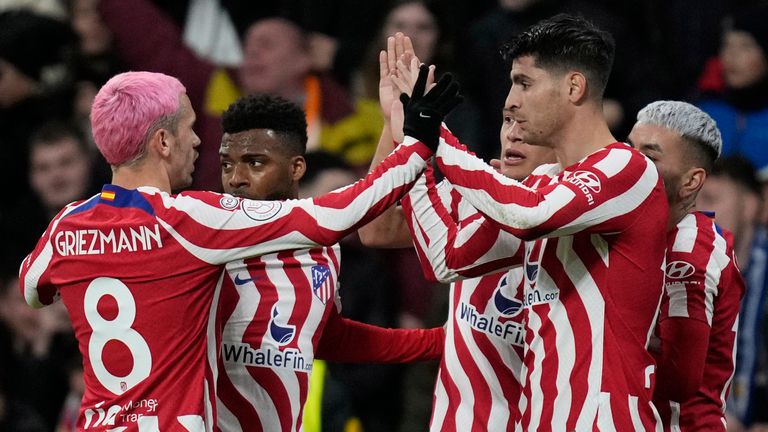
(275, 60)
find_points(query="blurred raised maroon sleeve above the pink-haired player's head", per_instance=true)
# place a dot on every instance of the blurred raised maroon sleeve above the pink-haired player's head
(146, 39)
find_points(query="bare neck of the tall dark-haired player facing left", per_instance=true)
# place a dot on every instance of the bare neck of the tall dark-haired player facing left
(585, 134)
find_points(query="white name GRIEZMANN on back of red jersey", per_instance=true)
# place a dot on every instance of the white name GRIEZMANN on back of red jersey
(98, 242)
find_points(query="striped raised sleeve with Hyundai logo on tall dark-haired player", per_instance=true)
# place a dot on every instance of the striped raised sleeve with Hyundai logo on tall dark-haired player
(605, 193)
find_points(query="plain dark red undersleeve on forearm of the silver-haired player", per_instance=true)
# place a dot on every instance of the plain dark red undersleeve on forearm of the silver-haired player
(681, 358)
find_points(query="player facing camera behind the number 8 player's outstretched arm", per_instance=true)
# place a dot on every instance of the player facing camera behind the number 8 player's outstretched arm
(280, 310)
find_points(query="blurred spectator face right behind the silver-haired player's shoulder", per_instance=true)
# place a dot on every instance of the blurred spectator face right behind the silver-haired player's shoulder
(733, 205)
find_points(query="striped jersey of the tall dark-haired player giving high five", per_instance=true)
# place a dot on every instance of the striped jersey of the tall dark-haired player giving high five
(595, 240)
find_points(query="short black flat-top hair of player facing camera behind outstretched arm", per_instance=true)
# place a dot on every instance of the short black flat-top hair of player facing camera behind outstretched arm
(268, 112)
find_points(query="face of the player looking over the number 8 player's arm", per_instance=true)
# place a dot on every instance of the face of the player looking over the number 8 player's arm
(255, 166)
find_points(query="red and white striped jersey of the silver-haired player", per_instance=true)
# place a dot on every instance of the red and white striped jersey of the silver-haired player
(703, 283)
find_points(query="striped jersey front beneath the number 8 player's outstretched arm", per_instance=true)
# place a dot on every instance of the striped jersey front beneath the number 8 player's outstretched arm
(272, 310)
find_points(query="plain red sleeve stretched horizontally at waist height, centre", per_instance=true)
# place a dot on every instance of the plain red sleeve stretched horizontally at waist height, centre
(344, 340)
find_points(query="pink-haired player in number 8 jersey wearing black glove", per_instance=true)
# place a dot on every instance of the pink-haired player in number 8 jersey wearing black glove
(138, 268)
